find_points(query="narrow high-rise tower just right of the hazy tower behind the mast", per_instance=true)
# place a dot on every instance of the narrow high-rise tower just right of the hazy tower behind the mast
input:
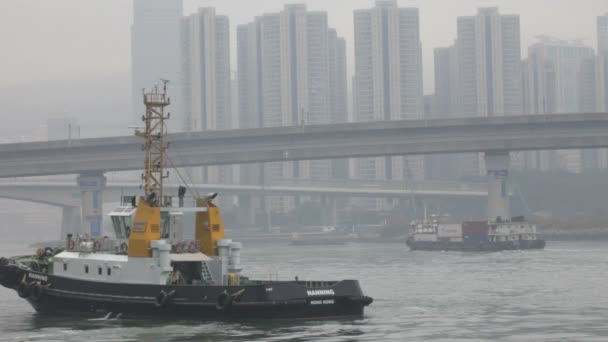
(206, 82)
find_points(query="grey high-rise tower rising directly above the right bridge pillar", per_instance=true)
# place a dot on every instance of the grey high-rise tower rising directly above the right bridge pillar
(489, 57)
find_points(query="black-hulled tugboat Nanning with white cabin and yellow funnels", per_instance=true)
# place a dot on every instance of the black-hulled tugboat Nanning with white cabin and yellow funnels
(148, 269)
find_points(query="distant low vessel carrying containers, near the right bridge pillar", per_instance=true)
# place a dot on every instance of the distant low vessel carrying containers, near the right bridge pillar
(474, 236)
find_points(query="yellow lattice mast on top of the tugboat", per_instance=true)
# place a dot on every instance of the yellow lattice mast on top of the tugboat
(155, 147)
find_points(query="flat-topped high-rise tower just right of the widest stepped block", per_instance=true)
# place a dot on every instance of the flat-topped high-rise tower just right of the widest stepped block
(388, 80)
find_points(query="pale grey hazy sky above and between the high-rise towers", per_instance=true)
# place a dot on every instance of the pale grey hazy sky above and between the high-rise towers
(75, 54)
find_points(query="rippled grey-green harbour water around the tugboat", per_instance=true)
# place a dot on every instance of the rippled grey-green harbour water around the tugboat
(558, 294)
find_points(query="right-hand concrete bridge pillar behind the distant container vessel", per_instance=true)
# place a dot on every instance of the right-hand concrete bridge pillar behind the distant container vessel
(497, 166)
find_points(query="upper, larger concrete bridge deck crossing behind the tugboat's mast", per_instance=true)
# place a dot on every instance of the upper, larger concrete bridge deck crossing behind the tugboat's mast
(386, 138)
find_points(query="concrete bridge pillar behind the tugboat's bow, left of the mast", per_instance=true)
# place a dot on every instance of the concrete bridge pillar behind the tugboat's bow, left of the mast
(91, 187)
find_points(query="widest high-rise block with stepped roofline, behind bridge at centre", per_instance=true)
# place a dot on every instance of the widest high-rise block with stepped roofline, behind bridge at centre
(291, 70)
